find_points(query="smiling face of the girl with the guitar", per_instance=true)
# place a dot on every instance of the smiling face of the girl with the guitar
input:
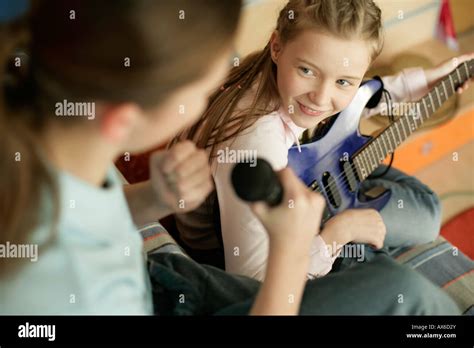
(318, 74)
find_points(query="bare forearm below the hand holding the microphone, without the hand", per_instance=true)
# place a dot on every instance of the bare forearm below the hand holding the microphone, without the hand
(282, 289)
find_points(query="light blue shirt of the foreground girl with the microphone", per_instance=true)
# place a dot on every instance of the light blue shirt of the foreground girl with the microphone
(95, 264)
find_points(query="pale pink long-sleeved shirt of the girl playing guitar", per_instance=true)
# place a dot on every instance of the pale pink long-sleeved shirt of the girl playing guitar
(270, 137)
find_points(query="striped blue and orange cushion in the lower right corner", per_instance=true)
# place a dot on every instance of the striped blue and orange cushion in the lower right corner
(446, 266)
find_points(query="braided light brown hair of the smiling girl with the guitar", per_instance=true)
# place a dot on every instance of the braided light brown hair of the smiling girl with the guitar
(342, 18)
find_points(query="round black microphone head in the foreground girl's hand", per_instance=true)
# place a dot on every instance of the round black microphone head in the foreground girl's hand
(257, 183)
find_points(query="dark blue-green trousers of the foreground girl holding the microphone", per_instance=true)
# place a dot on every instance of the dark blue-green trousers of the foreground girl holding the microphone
(378, 287)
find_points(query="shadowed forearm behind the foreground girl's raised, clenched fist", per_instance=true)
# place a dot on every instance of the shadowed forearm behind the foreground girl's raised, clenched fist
(143, 203)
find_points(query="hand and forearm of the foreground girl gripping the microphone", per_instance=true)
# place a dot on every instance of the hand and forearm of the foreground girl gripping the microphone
(291, 227)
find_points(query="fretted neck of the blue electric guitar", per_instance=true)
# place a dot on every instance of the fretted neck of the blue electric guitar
(377, 149)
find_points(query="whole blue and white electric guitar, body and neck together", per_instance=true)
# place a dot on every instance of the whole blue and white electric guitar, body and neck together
(336, 164)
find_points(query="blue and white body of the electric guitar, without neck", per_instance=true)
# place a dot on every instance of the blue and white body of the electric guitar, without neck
(325, 163)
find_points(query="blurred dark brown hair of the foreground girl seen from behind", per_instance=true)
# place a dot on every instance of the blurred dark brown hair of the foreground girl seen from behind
(86, 50)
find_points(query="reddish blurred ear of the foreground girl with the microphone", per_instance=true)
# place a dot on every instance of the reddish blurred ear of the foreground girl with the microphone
(117, 122)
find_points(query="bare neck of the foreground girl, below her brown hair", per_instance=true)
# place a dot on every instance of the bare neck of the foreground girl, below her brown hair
(84, 157)
